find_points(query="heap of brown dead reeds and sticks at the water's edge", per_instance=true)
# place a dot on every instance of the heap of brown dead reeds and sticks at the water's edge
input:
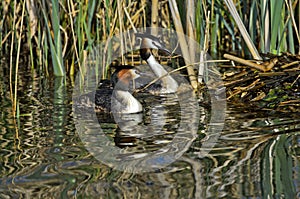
(270, 85)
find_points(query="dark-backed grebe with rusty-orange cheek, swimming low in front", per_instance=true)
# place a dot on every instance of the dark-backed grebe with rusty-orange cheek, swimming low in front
(114, 96)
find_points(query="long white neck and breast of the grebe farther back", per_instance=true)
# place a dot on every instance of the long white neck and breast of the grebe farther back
(169, 84)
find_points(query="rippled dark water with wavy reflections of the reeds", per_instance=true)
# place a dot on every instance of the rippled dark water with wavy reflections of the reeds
(43, 155)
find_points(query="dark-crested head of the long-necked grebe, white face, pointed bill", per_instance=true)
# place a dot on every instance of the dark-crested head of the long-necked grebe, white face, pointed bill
(150, 42)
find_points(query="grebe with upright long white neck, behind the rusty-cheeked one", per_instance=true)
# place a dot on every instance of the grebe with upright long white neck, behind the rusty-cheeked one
(169, 85)
